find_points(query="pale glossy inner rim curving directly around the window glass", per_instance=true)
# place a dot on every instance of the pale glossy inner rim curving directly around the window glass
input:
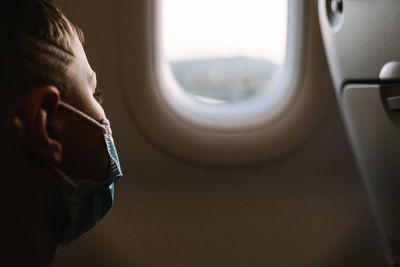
(264, 109)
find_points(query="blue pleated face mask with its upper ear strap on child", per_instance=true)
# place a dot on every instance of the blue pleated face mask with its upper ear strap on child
(87, 202)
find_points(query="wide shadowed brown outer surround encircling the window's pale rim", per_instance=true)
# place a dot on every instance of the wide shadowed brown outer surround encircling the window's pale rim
(198, 143)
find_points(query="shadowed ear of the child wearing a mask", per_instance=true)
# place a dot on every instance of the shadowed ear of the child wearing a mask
(30, 116)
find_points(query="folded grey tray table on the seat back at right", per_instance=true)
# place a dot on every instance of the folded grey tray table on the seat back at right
(376, 143)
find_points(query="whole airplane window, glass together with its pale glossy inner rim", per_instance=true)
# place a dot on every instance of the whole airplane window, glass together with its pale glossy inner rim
(228, 65)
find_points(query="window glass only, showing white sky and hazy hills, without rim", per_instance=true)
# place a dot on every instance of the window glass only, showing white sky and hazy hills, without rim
(223, 51)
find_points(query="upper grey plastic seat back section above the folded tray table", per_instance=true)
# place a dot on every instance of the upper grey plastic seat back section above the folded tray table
(364, 41)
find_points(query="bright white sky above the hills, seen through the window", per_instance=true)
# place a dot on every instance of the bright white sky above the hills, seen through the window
(225, 28)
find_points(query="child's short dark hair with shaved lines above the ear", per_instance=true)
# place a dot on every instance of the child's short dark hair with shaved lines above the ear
(36, 42)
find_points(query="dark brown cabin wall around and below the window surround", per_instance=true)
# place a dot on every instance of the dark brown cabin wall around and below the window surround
(307, 209)
